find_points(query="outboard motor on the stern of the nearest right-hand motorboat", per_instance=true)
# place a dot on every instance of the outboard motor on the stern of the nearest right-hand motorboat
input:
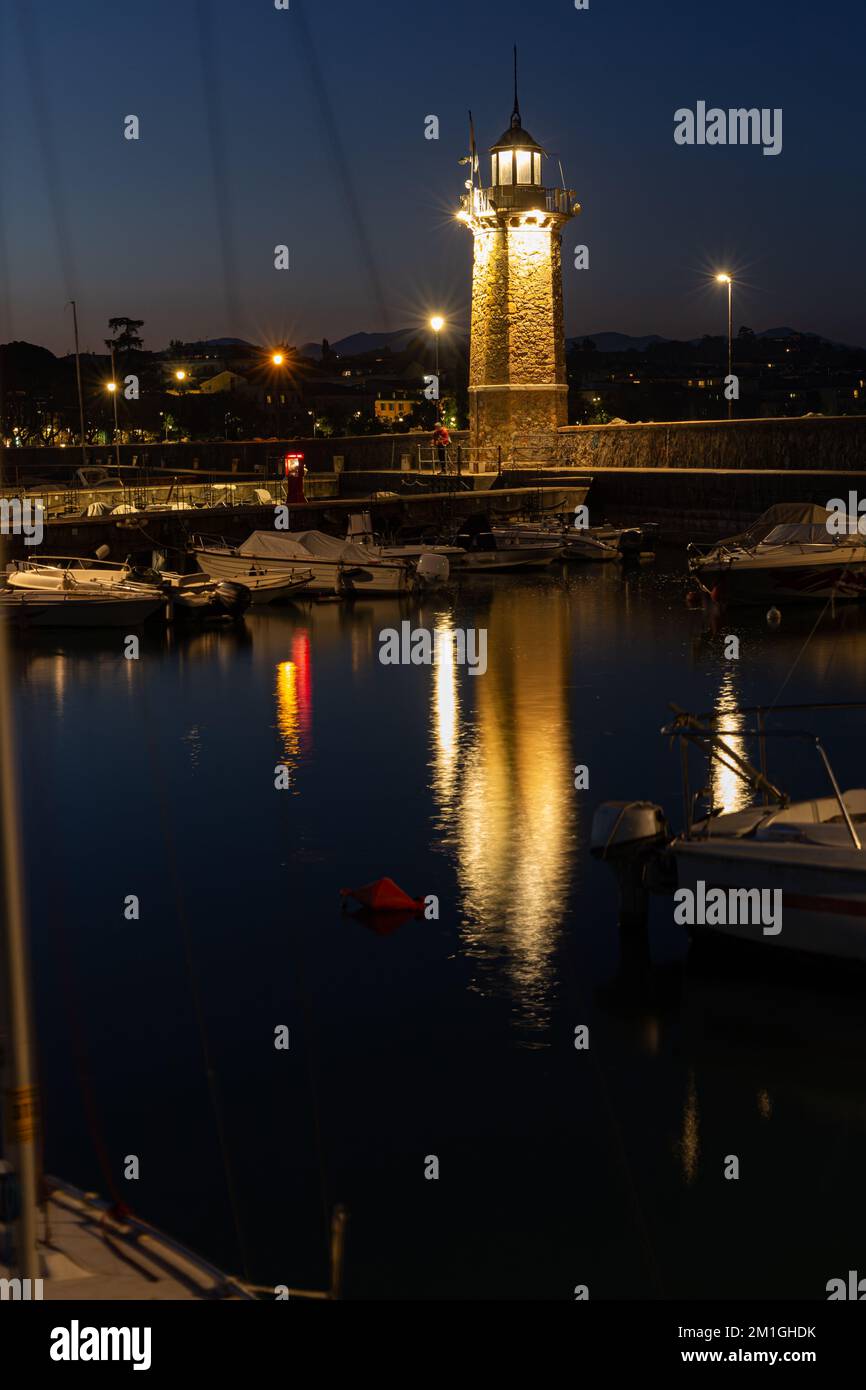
(630, 836)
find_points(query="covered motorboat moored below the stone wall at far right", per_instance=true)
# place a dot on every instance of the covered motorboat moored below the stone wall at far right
(789, 555)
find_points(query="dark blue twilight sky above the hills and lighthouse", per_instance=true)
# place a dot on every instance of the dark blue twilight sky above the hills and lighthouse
(307, 127)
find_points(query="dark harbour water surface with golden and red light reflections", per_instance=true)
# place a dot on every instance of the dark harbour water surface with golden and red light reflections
(452, 1038)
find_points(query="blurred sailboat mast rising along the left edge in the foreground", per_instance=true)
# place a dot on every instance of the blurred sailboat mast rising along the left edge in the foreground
(20, 1097)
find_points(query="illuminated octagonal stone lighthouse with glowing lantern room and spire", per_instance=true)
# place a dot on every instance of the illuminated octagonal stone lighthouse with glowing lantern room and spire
(518, 357)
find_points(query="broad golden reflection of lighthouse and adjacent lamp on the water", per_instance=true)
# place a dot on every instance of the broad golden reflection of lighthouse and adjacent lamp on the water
(507, 806)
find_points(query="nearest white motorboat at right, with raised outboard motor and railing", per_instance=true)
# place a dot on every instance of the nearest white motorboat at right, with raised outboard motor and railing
(785, 874)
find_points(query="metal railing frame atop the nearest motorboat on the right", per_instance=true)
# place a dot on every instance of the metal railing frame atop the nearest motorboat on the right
(704, 733)
